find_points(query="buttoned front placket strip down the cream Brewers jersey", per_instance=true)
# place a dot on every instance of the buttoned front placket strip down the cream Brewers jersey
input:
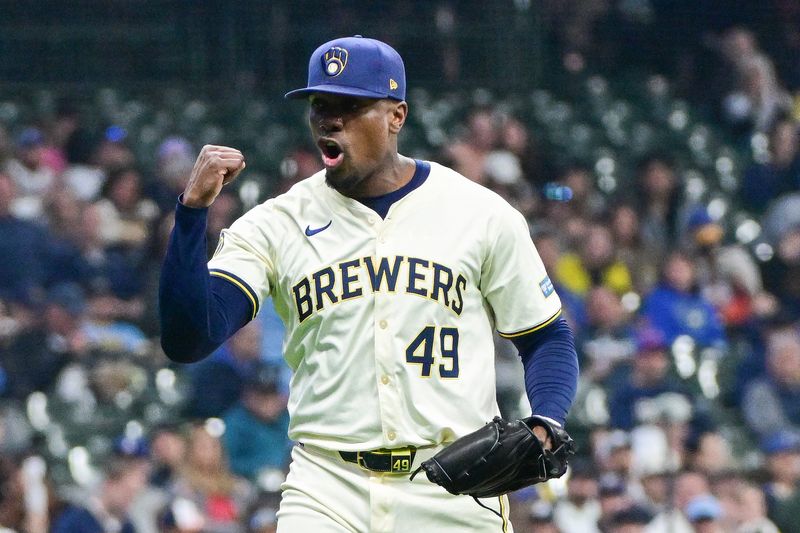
(385, 358)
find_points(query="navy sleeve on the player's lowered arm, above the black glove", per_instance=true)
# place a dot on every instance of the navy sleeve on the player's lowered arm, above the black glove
(551, 369)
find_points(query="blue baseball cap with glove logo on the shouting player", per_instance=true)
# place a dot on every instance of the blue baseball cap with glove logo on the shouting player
(355, 66)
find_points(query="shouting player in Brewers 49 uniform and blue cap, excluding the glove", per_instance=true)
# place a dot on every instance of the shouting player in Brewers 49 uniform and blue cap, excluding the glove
(391, 275)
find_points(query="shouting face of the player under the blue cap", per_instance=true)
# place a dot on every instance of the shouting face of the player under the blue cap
(356, 138)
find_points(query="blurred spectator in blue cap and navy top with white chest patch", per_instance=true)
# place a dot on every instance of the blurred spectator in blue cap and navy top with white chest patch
(649, 394)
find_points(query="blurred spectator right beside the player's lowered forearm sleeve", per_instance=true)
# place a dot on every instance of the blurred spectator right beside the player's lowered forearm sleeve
(607, 340)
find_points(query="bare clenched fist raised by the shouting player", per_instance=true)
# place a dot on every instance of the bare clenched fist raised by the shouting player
(215, 166)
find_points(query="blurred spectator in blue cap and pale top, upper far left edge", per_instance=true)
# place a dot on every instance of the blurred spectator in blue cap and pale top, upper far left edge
(33, 179)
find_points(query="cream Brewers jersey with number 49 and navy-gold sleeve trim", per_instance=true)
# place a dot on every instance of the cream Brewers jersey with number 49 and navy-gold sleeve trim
(389, 322)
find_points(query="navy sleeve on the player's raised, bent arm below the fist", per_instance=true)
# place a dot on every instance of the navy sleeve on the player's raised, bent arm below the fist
(198, 312)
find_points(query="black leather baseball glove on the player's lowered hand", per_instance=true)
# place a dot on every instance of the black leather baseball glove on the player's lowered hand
(499, 458)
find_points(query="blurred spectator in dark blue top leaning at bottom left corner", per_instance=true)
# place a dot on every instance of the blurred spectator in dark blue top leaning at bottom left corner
(106, 509)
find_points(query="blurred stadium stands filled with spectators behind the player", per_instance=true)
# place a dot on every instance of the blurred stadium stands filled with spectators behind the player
(675, 248)
